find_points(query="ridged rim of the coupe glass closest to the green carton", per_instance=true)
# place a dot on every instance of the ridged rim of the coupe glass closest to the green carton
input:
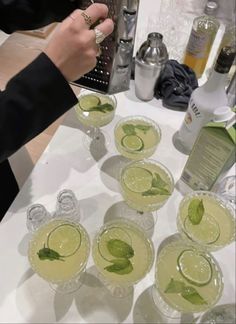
(222, 202)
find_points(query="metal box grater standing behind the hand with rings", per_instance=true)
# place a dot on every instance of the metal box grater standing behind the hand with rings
(113, 70)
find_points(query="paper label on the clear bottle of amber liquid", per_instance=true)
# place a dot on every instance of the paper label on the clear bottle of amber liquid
(197, 44)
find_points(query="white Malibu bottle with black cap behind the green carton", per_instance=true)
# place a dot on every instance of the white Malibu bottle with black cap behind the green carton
(204, 100)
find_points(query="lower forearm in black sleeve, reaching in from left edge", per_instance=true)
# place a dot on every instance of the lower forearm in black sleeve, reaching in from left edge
(32, 100)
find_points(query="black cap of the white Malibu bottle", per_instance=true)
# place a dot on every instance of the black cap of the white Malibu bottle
(225, 59)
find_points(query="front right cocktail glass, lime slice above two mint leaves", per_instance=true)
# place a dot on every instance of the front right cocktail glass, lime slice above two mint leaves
(187, 279)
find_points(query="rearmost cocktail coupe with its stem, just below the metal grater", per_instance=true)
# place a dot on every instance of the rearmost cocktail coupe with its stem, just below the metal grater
(95, 110)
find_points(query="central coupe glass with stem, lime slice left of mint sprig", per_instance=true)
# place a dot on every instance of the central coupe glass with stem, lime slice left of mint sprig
(146, 186)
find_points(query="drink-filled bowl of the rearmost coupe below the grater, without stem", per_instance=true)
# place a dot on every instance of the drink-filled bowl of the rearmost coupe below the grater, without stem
(95, 109)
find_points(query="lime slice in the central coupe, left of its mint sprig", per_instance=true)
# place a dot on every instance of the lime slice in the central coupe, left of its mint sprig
(138, 179)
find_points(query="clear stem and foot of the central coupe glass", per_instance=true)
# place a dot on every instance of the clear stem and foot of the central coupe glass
(145, 220)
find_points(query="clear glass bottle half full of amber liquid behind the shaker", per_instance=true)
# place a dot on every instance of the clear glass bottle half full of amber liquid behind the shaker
(201, 39)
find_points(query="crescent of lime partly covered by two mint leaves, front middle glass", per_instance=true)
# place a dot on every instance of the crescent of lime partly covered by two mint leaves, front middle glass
(114, 233)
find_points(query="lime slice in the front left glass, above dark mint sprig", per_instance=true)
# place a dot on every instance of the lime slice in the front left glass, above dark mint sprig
(65, 239)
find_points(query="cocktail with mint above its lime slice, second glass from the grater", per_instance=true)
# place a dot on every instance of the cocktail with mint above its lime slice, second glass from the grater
(137, 137)
